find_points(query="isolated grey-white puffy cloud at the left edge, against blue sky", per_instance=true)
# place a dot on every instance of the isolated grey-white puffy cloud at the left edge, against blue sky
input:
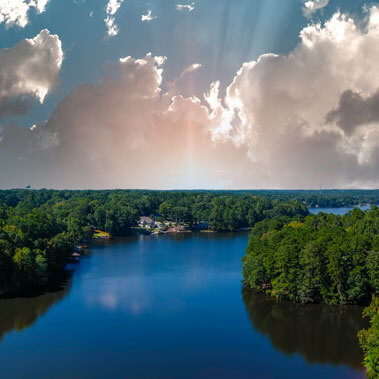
(28, 71)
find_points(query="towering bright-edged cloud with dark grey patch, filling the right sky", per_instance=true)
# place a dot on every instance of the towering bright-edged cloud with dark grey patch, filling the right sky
(278, 104)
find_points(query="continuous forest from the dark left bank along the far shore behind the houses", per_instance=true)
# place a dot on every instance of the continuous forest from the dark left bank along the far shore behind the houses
(38, 229)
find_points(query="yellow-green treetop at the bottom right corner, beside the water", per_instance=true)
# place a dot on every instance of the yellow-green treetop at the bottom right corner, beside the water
(369, 339)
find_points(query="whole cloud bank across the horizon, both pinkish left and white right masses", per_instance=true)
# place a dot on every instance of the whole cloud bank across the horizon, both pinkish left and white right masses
(284, 122)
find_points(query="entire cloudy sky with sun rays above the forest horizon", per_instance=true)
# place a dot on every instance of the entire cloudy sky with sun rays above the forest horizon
(210, 94)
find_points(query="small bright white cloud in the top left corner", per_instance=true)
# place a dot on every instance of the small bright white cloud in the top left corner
(15, 12)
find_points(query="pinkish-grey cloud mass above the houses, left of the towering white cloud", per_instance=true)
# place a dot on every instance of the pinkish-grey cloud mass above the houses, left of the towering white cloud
(124, 132)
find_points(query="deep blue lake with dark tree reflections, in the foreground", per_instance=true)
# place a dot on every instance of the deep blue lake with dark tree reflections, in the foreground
(172, 306)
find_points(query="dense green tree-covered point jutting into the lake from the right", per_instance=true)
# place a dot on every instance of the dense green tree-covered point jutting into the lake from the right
(320, 258)
